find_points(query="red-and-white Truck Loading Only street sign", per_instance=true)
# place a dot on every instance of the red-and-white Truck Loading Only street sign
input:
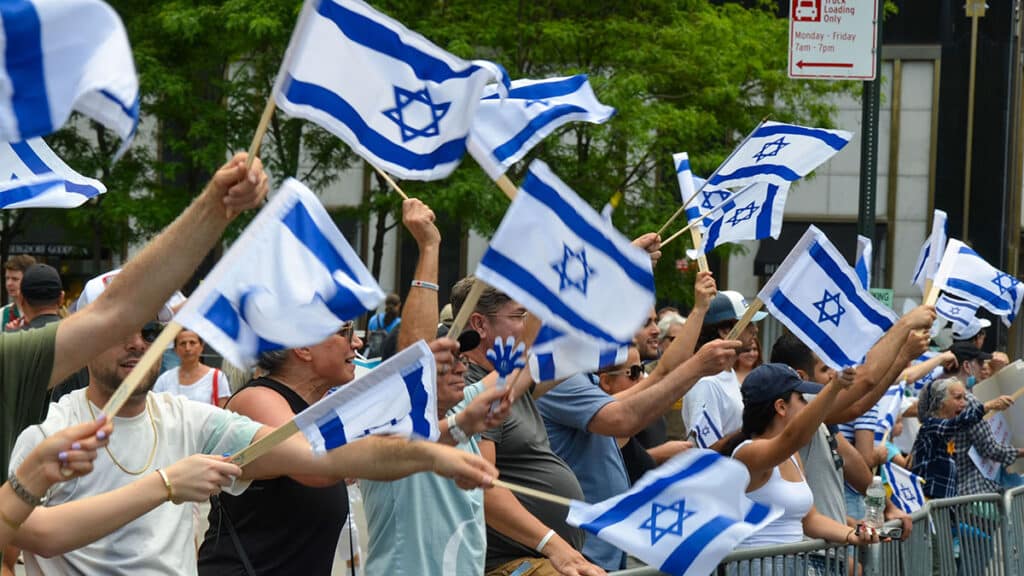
(833, 39)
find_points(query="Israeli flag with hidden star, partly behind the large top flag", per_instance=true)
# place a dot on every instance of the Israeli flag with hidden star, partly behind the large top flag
(504, 131)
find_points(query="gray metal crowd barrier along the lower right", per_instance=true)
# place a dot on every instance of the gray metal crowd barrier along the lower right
(980, 536)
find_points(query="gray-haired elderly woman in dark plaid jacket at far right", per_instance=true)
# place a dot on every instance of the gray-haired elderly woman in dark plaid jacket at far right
(951, 424)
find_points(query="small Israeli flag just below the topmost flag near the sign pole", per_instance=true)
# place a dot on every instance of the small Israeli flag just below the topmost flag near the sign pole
(753, 214)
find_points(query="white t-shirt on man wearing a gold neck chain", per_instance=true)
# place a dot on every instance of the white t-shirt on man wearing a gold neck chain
(161, 542)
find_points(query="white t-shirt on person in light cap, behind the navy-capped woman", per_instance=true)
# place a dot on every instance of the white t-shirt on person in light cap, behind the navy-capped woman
(719, 396)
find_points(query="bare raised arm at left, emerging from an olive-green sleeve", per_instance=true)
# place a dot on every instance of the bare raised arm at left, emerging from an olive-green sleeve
(148, 281)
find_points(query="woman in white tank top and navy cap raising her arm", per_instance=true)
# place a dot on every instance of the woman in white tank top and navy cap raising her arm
(778, 422)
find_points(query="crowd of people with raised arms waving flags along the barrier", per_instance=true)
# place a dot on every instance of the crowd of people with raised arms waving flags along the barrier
(87, 495)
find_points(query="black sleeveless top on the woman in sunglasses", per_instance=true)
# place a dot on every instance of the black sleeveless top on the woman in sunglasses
(284, 527)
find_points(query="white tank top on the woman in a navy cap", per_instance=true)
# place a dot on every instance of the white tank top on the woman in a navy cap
(794, 498)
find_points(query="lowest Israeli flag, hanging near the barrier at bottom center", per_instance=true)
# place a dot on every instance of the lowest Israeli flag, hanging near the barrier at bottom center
(682, 518)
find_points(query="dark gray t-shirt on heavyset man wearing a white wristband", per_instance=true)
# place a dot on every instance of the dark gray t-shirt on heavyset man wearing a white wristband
(524, 457)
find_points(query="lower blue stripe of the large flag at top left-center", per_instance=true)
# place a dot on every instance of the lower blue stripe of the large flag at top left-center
(314, 96)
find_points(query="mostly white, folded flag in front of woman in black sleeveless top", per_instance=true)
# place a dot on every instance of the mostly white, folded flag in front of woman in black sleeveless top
(400, 397)
